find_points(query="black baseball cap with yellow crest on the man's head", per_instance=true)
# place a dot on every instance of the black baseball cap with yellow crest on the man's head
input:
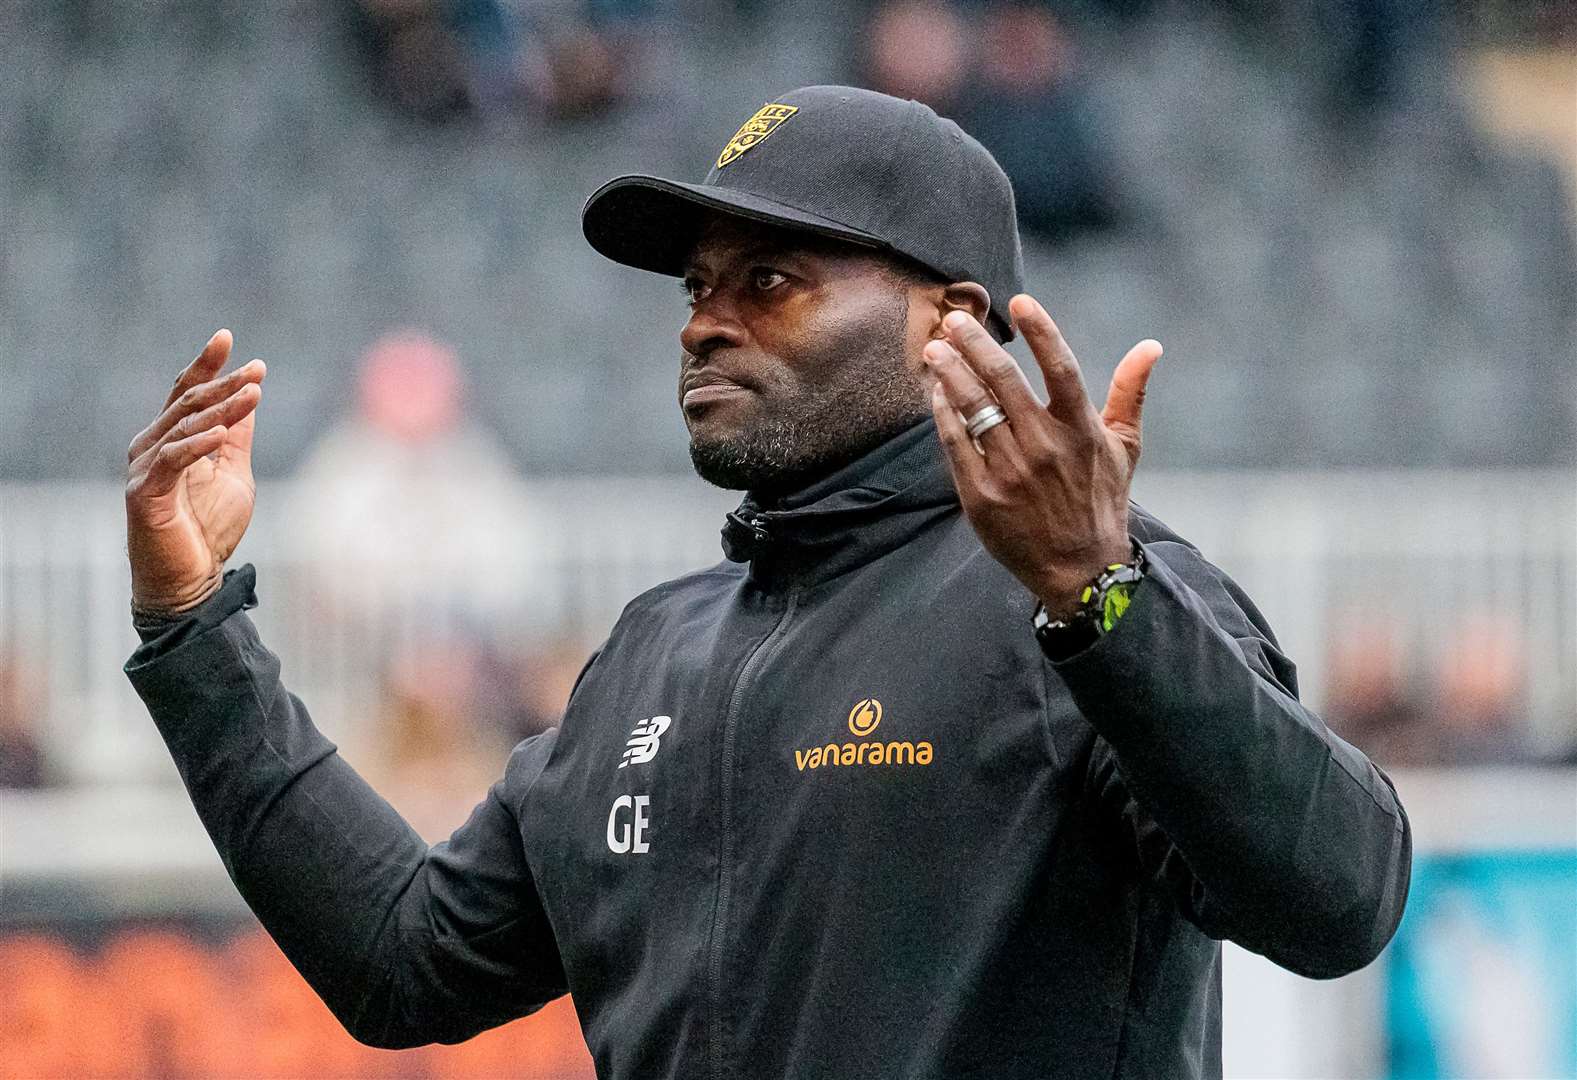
(843, 163)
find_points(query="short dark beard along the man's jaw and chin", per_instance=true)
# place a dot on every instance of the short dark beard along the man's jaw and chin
(874, 398)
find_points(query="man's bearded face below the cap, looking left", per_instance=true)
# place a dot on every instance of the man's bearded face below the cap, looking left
(800, 356)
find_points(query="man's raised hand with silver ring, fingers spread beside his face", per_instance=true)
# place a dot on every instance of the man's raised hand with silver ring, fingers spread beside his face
(1048, 490)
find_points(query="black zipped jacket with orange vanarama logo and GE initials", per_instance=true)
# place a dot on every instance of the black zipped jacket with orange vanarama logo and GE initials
(827, 811)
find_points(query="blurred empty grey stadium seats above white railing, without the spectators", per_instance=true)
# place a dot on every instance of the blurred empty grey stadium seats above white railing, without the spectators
(1400, 297)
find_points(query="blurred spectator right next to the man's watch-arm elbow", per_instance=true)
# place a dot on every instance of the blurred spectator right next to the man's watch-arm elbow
(1370, 696)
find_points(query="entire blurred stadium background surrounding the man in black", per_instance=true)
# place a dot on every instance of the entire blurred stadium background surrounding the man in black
(1351, 222)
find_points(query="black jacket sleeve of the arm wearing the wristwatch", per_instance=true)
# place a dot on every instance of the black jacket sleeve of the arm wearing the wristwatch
(1264, 825)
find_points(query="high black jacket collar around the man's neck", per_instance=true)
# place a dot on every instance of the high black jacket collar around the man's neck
(848, 520)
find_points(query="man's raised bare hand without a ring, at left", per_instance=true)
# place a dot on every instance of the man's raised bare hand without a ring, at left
(190, 486)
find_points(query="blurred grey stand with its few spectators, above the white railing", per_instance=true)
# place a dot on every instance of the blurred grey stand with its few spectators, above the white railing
(1346, 215)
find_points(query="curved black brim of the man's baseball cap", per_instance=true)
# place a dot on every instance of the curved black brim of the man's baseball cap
(652, 225)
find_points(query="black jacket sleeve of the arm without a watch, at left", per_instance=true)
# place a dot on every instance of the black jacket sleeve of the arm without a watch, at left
(406, 944)
